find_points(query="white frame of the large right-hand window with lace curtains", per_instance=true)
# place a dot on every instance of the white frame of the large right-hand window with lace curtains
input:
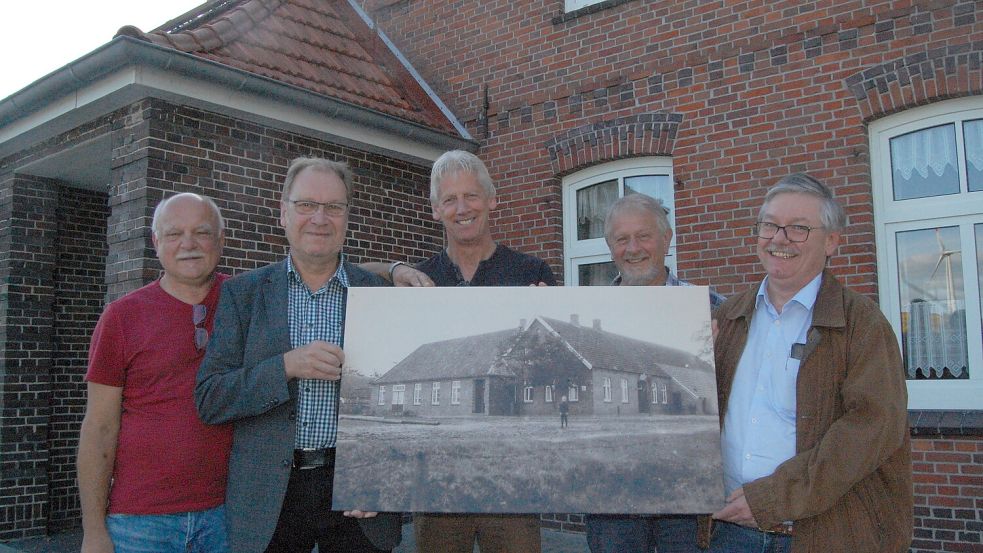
(964, 210)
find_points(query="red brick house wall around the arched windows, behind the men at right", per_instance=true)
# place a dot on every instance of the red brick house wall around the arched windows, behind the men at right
(738, 94)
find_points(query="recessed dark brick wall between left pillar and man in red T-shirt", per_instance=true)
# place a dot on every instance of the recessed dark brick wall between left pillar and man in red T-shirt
(79, 289)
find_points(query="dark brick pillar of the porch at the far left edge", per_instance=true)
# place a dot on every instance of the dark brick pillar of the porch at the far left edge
(27, 262)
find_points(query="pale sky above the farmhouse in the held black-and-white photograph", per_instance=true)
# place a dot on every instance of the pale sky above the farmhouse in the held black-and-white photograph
(384, 325)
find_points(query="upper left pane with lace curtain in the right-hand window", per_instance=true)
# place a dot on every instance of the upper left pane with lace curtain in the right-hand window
(923, 163)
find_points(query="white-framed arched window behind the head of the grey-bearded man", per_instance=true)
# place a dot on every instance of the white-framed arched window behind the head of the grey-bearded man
(587, 196)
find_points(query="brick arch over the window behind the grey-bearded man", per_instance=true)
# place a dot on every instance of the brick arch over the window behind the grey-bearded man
(647, 134)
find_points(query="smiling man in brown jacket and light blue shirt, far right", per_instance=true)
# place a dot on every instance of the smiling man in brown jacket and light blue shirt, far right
(813, 403)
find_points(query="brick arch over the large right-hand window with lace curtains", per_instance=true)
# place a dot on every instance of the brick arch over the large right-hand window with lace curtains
(919, 78)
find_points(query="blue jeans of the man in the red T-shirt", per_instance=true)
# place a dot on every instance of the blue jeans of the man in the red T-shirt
(193, 532)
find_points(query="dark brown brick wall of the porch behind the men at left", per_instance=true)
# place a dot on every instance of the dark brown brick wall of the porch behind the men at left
(55, 284)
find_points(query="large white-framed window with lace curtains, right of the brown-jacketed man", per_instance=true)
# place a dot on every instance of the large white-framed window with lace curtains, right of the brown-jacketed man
(927, 168)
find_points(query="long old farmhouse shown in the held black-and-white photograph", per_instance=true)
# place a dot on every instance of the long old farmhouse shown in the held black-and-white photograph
(530, 369)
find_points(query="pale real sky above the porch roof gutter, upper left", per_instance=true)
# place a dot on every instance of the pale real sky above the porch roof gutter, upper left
(41, 36)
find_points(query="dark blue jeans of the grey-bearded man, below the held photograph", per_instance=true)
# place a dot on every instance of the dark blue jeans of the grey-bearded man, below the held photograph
(623, 534)
